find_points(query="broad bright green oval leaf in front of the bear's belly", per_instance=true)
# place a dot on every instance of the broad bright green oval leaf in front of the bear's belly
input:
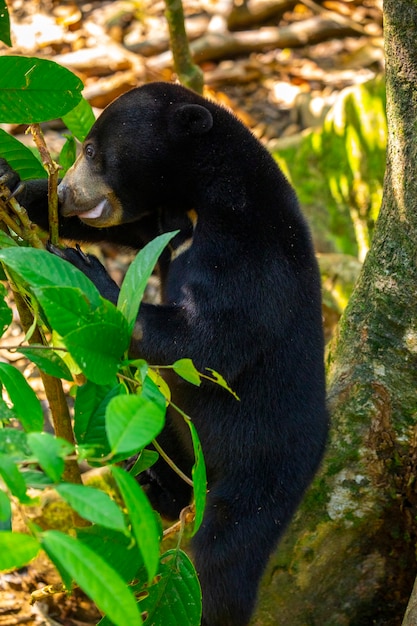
(132, 422)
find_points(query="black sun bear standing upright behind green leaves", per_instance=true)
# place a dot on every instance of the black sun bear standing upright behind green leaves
(240, 294)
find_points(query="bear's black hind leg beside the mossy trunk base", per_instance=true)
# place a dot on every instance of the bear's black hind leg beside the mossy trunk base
(231, 550)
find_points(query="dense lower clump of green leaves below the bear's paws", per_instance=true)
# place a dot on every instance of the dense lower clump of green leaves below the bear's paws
(118, 411)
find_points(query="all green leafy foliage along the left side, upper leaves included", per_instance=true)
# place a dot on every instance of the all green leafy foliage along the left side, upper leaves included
(114, 537)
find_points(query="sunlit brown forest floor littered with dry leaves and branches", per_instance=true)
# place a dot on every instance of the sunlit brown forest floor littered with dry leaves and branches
(279, 65)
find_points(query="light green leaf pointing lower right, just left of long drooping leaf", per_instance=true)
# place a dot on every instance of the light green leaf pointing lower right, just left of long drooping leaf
(93, 505)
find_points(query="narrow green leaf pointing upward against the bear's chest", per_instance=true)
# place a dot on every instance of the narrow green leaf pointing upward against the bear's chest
(137, 276)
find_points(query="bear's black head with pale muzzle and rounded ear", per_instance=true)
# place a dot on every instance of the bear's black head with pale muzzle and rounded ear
(138, 156)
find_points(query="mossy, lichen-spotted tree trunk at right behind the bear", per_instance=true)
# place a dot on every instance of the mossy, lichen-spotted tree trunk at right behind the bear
(349, 557)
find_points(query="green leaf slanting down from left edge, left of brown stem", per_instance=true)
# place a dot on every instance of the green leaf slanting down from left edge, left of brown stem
(24, 400)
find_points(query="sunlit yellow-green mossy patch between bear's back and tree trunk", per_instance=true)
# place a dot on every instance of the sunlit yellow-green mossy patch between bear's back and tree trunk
(338, 170)
